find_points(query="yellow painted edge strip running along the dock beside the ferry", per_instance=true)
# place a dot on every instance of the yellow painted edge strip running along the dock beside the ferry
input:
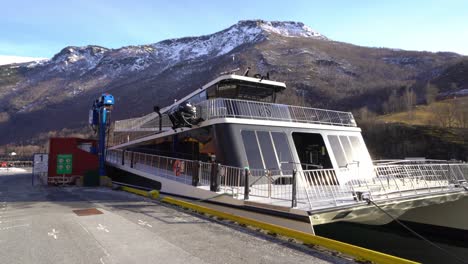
(352, 250)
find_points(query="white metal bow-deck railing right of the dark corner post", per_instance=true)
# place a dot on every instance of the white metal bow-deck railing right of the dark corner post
(390, 181)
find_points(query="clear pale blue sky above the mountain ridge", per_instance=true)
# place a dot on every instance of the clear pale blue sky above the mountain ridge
(42, 28)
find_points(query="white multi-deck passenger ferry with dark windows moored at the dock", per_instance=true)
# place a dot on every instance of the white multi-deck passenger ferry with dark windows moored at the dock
(230, 142)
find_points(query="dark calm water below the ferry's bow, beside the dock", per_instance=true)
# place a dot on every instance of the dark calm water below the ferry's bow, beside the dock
(395, 240)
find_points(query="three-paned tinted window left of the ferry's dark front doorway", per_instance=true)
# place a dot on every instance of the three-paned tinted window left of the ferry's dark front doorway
(267, 150)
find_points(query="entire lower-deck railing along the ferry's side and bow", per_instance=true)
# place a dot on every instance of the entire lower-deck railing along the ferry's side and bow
(302, 189)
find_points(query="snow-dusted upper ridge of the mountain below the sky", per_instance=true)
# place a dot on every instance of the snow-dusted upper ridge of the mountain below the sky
(72, 60)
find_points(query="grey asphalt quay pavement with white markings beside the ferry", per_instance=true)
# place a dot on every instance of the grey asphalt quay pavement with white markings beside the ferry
(38, 225)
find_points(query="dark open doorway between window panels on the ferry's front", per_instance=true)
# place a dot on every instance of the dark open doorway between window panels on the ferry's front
(312, 151)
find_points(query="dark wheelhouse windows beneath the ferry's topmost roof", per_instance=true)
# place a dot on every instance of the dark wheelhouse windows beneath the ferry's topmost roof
(243, 91)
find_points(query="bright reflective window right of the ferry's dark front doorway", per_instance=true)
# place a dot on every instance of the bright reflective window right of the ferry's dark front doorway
(347, 150)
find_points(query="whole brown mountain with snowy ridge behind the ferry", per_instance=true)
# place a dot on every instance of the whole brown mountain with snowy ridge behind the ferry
(54, 94)
